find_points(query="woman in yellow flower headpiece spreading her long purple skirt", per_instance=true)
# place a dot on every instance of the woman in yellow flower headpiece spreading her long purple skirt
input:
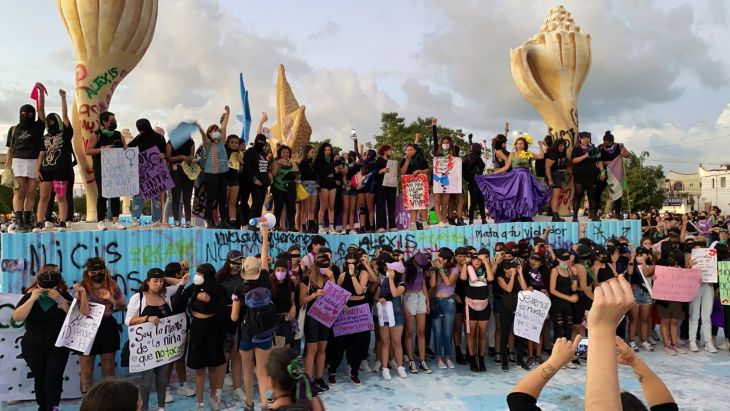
(512, 193)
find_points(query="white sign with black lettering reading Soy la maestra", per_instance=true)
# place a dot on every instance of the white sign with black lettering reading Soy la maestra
(153, 345)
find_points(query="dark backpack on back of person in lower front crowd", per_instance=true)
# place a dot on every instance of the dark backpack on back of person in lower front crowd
(260, 321)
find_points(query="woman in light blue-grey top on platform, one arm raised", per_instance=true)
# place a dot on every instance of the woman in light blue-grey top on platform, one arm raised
(215, 165)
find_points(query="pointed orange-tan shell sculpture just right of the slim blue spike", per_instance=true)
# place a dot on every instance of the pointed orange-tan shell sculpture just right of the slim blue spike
(292, 127)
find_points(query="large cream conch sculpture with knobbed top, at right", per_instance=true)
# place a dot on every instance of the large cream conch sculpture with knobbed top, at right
(549, 70)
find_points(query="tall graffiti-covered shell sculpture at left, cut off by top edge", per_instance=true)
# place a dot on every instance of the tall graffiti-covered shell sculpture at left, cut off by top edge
(110, 38)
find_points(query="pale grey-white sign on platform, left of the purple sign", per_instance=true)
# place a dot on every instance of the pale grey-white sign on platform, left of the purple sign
(119, 172)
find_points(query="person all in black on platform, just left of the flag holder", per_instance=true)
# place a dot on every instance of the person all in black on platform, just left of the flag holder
(587, 170)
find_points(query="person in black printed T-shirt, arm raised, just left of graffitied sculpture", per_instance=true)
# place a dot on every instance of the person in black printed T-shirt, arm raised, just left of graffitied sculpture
(56, 165)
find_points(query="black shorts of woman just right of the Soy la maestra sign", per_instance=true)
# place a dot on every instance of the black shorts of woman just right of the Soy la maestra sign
(205, 343)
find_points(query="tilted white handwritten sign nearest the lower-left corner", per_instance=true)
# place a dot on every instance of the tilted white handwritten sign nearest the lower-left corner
(79, 331)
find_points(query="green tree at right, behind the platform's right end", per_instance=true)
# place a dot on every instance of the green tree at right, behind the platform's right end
(644, 183)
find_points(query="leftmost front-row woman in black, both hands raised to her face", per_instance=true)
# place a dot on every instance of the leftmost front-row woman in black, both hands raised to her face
(43, 309)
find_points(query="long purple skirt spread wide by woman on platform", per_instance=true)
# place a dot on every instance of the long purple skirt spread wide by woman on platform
(513, 195)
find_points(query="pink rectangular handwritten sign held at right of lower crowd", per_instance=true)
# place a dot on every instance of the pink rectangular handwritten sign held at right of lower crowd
(676, 284)
